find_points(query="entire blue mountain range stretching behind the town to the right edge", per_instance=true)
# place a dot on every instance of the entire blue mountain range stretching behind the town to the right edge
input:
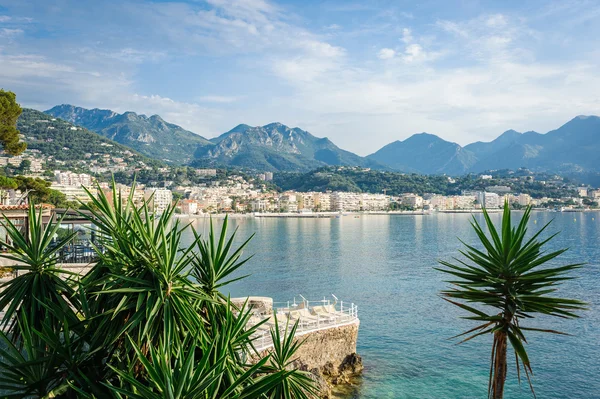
(574, 147)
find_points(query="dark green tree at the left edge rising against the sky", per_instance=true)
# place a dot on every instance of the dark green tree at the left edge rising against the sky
(9, 113)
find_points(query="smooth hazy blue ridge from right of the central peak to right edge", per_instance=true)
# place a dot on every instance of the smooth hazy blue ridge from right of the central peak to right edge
(572, 148)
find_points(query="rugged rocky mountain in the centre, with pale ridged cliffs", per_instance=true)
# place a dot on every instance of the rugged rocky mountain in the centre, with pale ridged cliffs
(276, 147)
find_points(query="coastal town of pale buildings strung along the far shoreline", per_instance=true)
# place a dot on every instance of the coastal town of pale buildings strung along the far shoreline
(243, 194)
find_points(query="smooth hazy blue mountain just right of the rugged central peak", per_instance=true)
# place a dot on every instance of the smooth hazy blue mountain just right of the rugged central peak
(427, 154)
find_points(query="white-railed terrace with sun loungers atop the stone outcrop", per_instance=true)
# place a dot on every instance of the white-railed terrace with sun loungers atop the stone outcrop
(287, 313)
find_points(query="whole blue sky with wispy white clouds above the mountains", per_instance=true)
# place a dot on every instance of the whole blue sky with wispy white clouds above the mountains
(362, 73)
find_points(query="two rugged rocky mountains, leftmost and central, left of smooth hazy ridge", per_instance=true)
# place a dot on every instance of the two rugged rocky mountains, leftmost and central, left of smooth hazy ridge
(273, 147)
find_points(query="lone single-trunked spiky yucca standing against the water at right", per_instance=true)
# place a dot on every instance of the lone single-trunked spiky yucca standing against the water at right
(504, 283)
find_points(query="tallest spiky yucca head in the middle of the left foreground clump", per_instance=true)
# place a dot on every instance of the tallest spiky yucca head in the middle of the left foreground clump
(140, 282)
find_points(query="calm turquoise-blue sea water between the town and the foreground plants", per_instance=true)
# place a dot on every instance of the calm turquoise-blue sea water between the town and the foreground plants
(385, 265)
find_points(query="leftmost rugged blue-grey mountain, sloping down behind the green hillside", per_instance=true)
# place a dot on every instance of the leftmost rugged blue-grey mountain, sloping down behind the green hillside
(151, 136)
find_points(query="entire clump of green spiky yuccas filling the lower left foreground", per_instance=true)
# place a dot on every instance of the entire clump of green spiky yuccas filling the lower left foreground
(149, 319)
